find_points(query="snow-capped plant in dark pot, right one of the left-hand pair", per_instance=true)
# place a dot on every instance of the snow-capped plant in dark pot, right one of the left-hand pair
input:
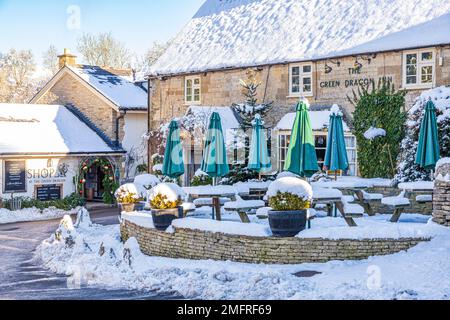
(165, 203)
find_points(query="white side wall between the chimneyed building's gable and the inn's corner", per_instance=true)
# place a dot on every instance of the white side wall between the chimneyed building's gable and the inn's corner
(135, 127)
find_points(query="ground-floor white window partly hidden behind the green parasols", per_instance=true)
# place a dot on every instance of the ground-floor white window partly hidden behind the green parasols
(321, 147)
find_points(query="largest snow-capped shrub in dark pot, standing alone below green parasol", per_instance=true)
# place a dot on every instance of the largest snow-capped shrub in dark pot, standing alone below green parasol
(290, 198)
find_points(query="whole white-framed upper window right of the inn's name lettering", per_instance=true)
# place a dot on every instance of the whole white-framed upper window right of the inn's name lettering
(418, 70)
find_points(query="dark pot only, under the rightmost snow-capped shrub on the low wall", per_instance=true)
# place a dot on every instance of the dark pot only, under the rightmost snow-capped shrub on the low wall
(287, 223)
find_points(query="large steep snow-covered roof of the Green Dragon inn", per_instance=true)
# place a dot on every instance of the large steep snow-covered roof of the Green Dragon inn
(242, 33)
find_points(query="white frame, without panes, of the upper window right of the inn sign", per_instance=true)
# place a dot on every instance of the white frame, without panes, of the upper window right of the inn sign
(420, 64)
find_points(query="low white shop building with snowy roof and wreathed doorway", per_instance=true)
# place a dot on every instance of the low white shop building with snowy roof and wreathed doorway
(48, 152)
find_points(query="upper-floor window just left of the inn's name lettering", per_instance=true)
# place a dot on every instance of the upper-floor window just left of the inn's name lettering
(300, 80)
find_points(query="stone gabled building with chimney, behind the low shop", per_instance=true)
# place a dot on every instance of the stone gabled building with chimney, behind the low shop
(111, 99)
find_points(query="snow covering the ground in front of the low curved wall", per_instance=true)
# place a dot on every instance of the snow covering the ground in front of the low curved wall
(420, 273)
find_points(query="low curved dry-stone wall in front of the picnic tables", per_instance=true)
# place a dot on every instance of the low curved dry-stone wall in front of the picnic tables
(200, 245)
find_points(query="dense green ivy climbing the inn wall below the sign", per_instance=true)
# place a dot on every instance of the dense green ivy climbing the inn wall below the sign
(380, 108)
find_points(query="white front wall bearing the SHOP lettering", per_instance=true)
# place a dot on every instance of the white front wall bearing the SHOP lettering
(38, 173)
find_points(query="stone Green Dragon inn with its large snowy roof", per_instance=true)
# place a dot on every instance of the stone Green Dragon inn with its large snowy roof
(322, 51)
